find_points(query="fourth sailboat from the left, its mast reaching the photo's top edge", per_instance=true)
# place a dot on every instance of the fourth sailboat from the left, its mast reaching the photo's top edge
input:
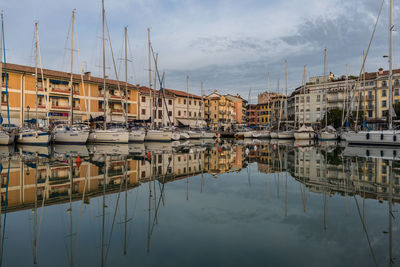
(112, 135)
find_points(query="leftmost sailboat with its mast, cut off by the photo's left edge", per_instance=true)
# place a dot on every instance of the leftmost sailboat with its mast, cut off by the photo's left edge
(6, 137)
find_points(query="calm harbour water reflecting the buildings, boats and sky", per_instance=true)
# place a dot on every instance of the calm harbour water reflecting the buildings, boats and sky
(230, 204)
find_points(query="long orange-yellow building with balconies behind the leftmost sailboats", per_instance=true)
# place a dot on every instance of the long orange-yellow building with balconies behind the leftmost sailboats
(54, 92)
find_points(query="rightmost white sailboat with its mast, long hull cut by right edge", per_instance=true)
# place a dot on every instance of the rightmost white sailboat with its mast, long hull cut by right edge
(383, 137)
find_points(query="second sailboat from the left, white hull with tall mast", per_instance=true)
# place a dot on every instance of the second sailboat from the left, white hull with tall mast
(32, 134)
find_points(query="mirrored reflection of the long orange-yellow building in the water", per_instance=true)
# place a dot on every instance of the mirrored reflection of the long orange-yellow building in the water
(54, 184)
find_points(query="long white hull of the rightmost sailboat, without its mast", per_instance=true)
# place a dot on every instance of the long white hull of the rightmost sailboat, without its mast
(386, 137)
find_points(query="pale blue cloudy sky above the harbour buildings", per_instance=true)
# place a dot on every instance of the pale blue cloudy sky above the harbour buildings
(230, 45)
